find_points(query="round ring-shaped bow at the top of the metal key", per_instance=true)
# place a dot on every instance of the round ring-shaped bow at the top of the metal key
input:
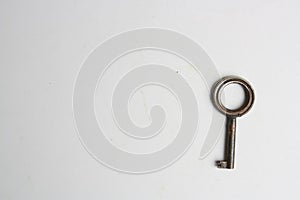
(248, 92)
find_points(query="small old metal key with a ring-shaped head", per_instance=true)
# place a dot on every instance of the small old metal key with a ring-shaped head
(231, 115)
